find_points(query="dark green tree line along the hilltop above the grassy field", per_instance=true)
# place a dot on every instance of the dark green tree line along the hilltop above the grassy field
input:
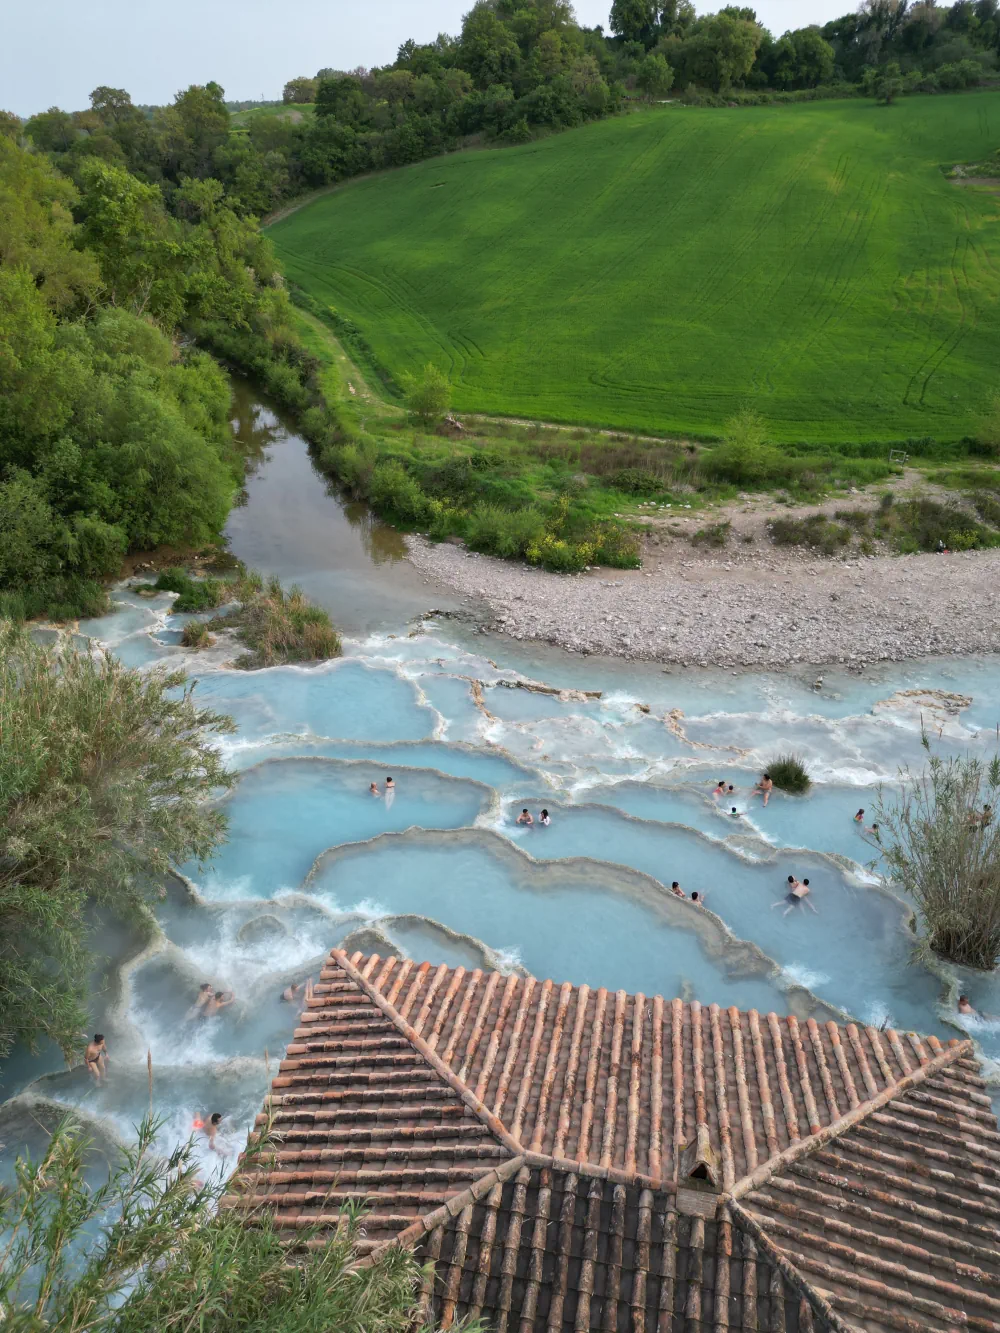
(517, 70)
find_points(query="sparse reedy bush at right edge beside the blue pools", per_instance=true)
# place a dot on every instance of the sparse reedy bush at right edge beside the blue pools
(939, 840)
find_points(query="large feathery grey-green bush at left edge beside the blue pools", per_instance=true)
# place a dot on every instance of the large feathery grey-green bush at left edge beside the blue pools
(105, 776)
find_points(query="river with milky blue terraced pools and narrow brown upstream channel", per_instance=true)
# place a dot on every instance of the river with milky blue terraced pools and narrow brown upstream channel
(442, 871)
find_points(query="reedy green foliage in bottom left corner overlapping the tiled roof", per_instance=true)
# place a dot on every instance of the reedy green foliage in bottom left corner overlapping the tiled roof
(151, 1248)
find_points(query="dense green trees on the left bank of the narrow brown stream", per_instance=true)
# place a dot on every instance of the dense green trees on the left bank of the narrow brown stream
(114, 423)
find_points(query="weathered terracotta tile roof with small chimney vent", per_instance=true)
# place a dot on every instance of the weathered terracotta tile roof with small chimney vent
(582, 1160)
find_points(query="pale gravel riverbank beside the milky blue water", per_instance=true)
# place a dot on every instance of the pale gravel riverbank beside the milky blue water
(765, 611)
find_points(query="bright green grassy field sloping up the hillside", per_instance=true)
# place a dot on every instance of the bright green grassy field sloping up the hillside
(661, 270)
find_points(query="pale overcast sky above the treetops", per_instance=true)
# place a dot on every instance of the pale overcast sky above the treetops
(54, 53)
